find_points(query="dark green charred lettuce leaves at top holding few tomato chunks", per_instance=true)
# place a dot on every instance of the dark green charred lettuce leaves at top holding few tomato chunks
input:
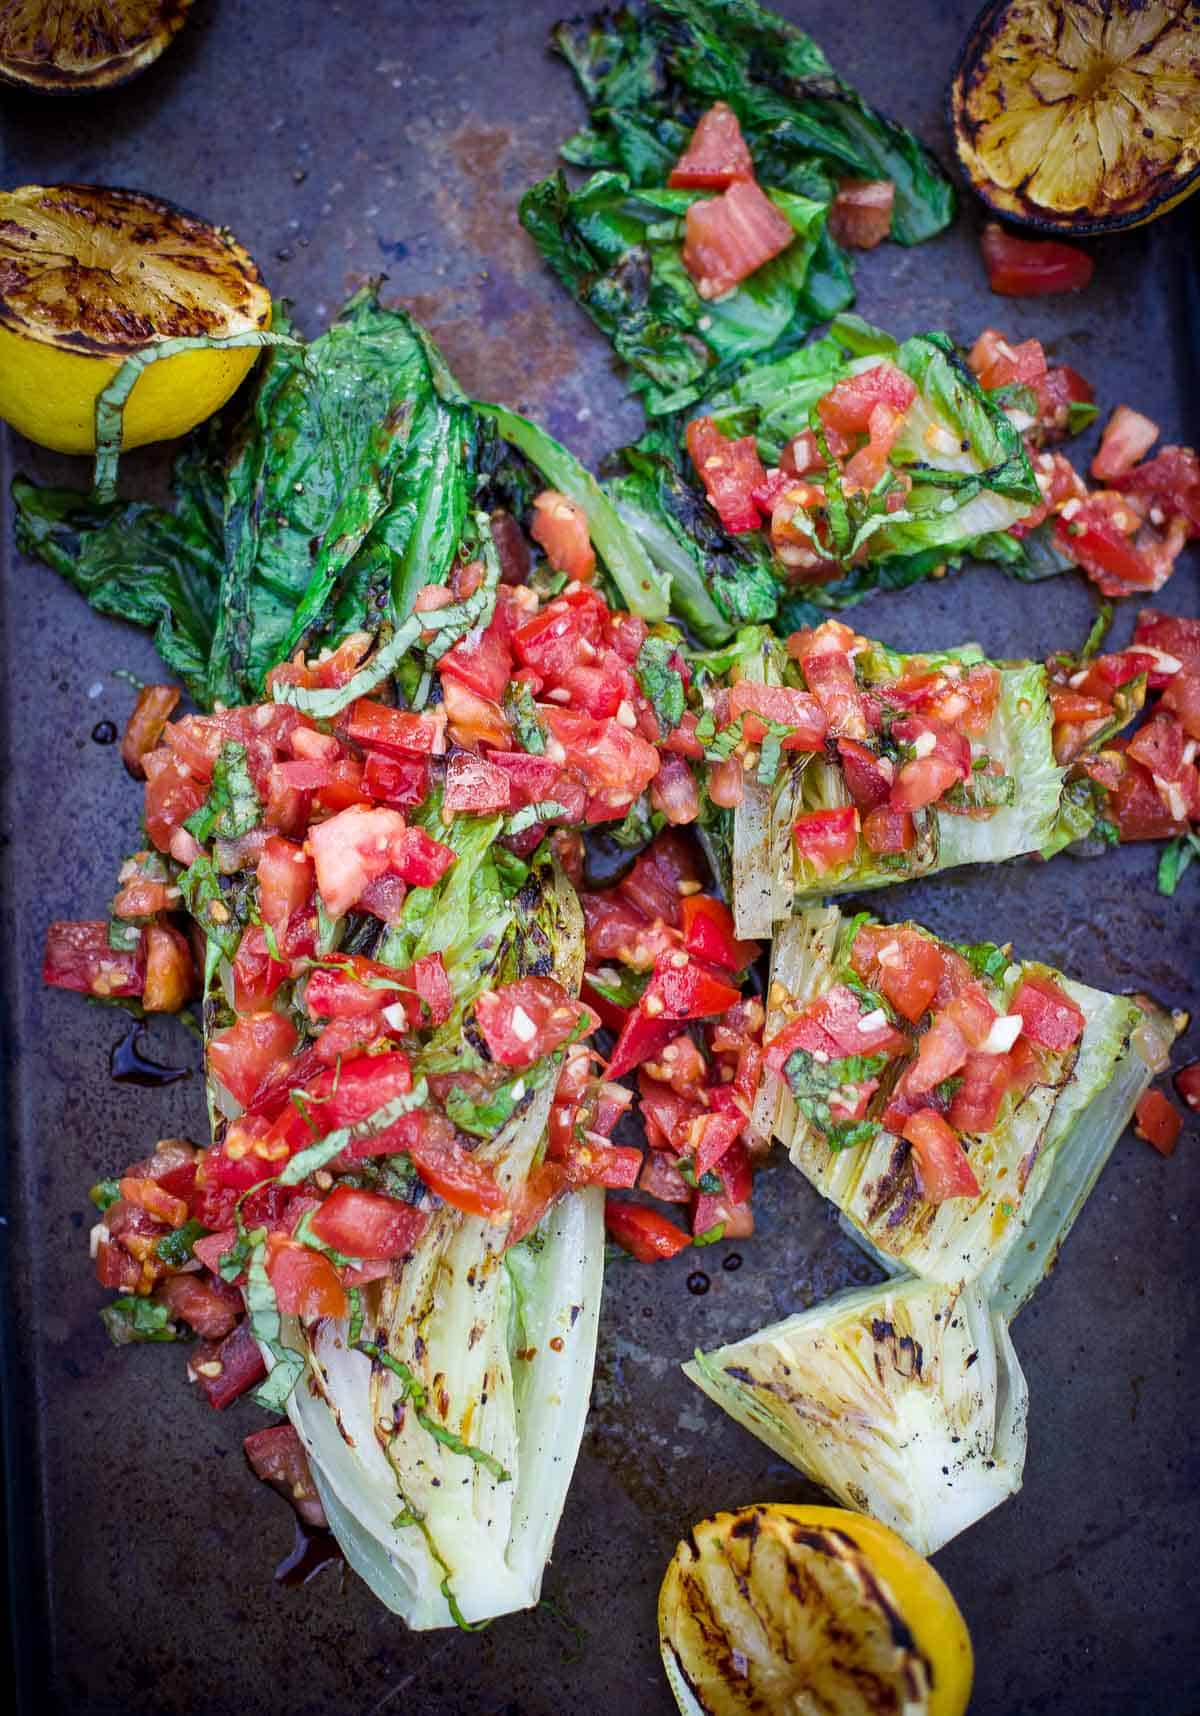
(648, 75)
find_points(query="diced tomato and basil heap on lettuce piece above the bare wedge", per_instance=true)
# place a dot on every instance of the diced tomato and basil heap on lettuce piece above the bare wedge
(928, 1042)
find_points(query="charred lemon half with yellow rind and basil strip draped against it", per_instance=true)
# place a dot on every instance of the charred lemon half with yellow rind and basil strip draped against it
(90, 277)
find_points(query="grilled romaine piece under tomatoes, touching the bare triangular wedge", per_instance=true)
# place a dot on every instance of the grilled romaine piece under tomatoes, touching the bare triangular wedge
(1036, 1166)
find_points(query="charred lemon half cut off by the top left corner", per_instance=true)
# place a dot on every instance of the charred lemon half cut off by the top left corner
(83, 44)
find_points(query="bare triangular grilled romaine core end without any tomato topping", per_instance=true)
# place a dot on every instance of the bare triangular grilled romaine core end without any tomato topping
(906, 1401)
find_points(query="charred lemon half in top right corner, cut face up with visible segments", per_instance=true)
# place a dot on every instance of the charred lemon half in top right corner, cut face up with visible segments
(1081, 116)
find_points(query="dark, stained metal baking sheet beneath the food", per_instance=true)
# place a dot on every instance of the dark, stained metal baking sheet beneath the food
(346, 140)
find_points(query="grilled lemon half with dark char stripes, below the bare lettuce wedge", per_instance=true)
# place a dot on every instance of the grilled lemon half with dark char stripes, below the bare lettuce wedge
(809, 1609)
